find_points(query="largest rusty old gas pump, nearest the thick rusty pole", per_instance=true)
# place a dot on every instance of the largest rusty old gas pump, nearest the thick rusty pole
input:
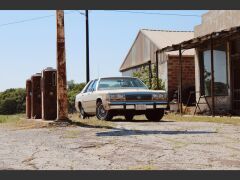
(49, 94)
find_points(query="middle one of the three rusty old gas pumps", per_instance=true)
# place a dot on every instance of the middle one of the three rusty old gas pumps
(36, 102)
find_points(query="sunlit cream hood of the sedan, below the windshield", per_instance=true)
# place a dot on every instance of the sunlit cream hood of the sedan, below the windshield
(131, 91)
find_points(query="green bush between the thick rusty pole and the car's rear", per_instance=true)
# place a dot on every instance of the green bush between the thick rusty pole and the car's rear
(73, 90)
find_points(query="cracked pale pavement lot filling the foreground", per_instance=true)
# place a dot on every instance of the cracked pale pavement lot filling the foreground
(120, 145)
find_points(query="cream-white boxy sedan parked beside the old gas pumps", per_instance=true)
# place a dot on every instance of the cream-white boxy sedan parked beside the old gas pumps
(128, 96)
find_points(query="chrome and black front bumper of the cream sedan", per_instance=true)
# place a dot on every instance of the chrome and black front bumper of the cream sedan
(135, 105)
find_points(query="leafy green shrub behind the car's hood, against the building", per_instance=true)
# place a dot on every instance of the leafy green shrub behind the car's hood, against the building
(143, 74)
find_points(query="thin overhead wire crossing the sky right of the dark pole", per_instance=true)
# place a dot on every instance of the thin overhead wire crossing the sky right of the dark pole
(154, 13)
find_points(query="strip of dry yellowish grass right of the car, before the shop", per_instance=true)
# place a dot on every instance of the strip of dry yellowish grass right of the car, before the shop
(184, 118)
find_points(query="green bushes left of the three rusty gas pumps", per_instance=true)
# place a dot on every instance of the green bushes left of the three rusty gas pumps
(12, 101)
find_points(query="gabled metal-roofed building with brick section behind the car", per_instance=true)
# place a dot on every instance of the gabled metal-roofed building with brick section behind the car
(143, 52)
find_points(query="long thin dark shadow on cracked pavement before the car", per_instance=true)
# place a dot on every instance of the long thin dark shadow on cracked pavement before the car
(126, 132)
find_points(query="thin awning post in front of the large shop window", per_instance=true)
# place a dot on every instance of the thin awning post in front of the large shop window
(212, 78)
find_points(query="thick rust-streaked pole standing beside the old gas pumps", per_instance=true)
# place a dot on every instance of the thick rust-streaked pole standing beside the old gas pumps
(62, 105)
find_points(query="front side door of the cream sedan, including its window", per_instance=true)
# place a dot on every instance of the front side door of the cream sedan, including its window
(91, 98)
